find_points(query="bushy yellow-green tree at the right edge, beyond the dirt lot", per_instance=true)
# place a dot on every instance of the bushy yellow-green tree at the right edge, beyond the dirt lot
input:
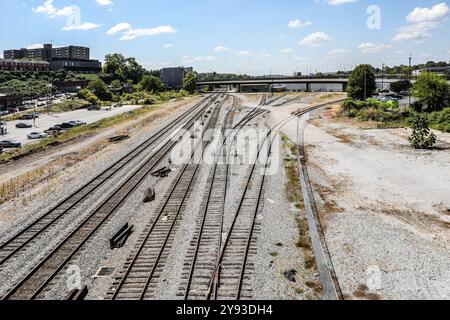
(432, 90)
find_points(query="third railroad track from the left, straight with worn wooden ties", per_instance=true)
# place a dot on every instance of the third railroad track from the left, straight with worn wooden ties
(143, 269)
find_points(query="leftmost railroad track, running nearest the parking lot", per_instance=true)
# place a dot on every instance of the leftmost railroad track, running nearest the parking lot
(20, 241)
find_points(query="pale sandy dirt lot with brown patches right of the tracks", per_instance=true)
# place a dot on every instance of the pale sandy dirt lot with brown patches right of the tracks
(386, 208)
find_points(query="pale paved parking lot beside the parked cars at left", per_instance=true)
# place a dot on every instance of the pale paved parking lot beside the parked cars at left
(46, 121)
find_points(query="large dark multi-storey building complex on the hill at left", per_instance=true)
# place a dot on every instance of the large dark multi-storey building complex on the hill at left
(70, 58)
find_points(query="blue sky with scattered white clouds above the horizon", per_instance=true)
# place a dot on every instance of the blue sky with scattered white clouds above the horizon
(246, 36)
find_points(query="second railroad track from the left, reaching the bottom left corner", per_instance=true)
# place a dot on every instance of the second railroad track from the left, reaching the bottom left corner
(39, 279)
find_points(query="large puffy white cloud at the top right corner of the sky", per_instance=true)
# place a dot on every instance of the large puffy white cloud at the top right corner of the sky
(421, 22)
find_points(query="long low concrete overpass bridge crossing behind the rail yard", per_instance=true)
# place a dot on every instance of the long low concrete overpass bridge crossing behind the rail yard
(270, 84)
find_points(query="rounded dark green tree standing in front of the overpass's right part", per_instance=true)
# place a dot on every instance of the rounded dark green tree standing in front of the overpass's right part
(362, 83)
